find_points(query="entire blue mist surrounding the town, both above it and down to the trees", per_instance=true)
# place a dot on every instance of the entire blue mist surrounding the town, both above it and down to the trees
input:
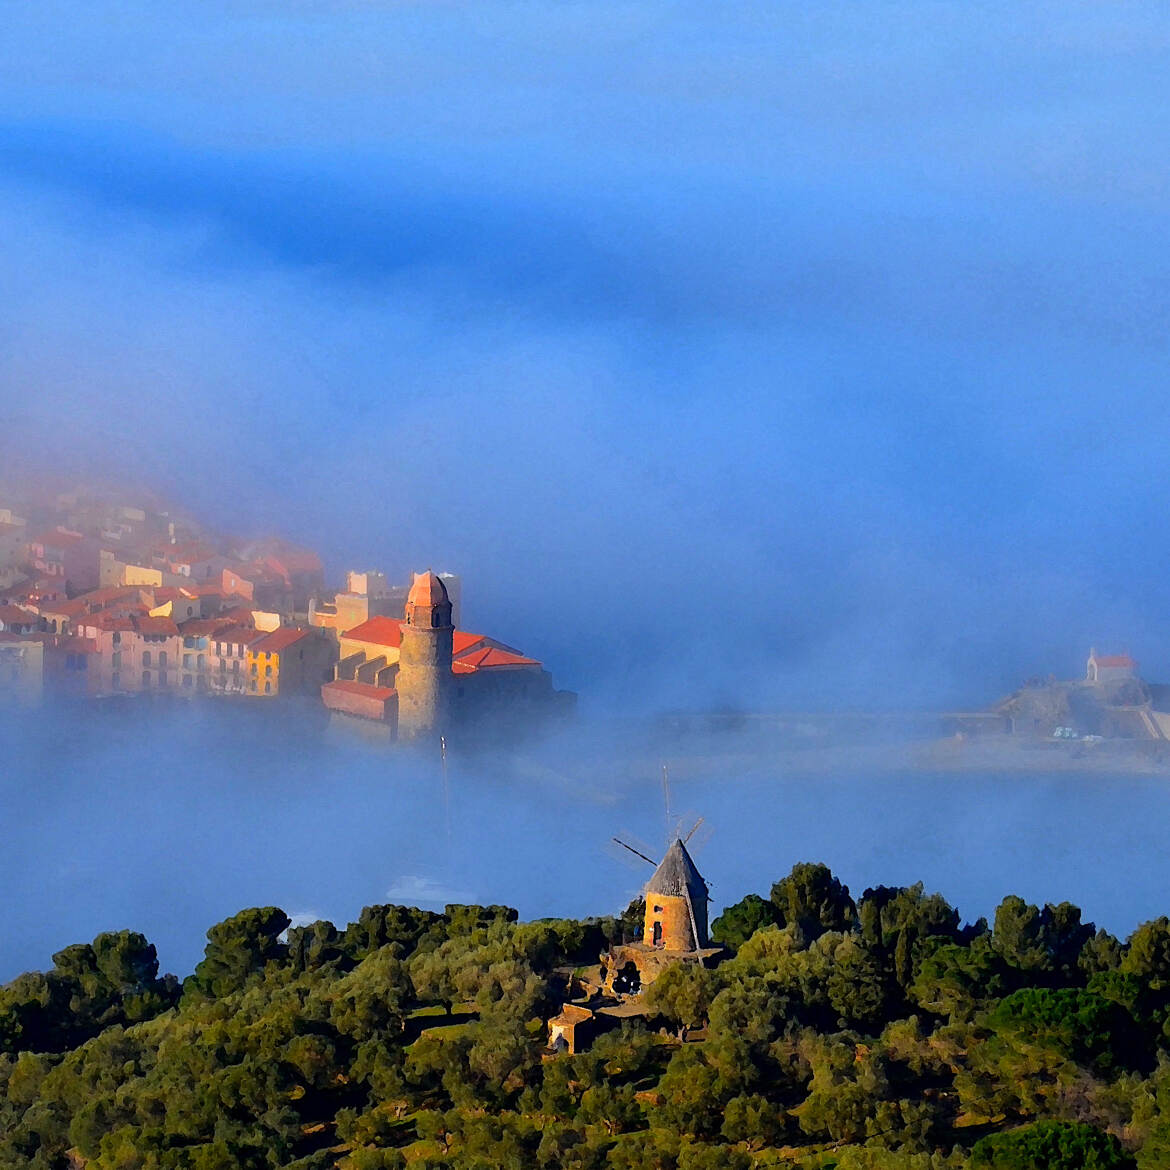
(788, 356)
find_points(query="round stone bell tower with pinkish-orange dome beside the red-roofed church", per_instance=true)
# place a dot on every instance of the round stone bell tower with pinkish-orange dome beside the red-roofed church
(424, 680)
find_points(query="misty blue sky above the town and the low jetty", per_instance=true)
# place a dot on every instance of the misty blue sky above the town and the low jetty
(789, 355)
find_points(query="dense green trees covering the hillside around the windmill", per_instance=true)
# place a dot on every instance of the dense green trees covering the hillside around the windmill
(870, 1035)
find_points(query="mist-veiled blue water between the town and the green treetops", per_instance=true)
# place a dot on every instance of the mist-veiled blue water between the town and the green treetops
(170, 820)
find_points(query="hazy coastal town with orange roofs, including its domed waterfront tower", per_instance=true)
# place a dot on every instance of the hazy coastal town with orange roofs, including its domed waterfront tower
(102, 600)
